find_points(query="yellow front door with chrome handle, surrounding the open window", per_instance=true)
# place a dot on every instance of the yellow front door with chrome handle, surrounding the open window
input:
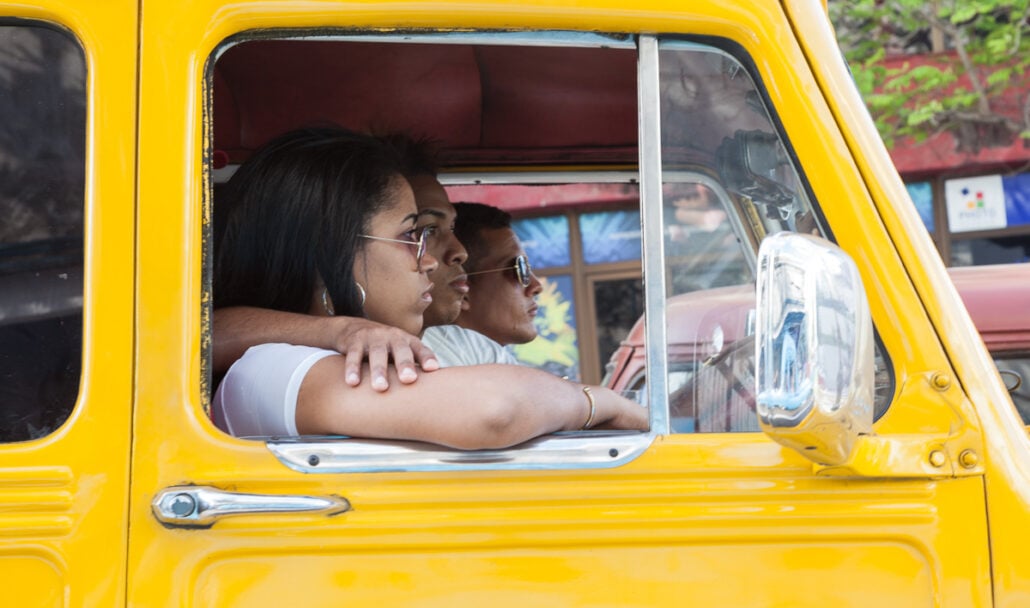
(720, 520)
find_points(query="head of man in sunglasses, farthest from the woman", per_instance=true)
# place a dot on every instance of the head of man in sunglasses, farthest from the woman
(503, 296)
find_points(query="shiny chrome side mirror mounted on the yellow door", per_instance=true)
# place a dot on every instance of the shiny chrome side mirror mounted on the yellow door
(814, 349)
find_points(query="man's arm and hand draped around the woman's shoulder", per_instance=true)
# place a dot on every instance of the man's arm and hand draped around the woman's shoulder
(236, 329)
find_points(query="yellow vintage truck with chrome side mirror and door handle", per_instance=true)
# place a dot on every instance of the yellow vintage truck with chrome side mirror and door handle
(886, 464)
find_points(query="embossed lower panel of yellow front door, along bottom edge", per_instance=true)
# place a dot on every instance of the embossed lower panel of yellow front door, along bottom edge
(576, 577)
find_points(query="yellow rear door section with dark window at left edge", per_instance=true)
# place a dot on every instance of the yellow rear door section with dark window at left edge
(64, 475)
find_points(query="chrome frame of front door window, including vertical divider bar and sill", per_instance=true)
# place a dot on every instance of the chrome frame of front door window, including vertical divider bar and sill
(561, 451)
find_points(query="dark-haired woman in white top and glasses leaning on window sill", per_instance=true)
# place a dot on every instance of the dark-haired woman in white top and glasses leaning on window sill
(323, 222)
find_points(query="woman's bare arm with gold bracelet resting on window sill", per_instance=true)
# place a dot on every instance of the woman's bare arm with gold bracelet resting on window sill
(474, 408)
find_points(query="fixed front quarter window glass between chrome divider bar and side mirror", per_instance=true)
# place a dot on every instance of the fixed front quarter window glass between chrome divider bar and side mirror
(728, 182)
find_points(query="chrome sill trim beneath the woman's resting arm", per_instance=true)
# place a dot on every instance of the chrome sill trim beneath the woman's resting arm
(586, 450)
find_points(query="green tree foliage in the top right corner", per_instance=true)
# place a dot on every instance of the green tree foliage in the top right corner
(978, 50)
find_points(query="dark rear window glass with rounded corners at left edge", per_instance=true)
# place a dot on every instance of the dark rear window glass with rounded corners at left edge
(43, 143)
